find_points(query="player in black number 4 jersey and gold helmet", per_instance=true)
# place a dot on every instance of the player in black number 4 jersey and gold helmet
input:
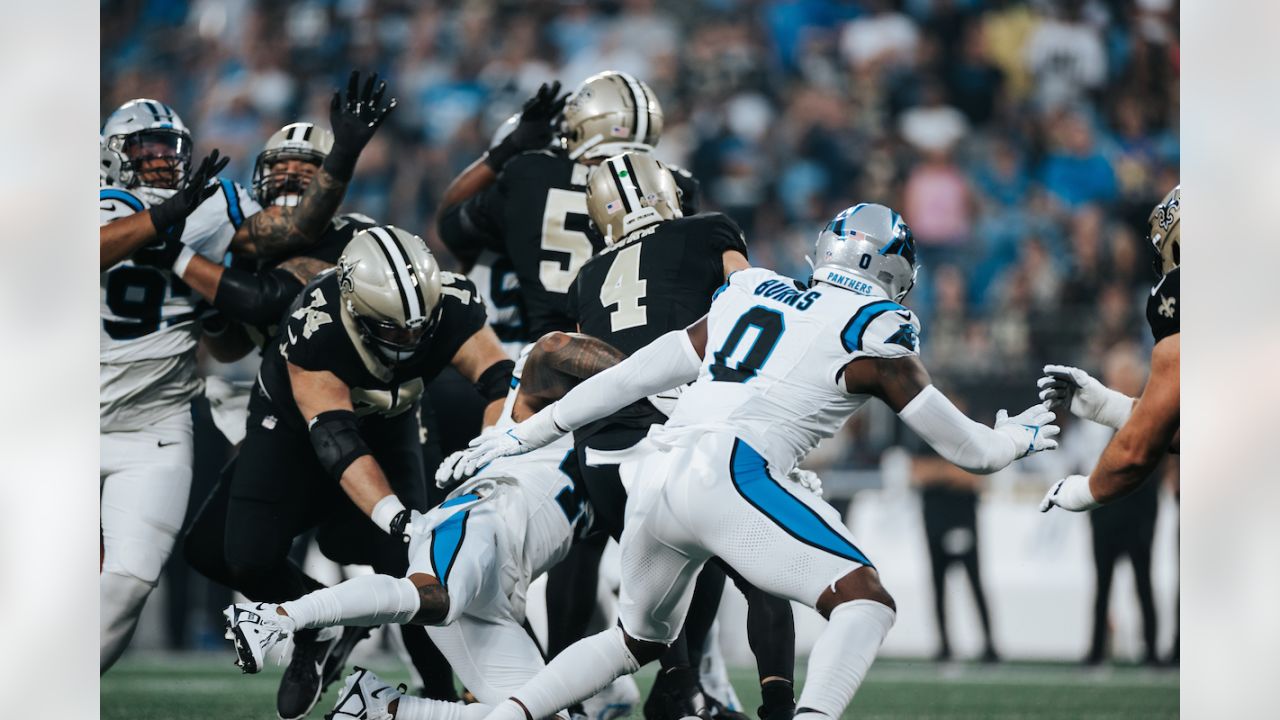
(659, 274)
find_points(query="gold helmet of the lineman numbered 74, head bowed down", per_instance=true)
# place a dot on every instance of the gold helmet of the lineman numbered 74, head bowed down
(391, 288)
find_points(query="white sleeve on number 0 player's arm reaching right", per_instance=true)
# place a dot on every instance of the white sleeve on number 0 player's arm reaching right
(954, 436)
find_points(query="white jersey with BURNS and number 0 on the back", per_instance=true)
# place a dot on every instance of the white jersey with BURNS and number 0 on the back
(775, 354)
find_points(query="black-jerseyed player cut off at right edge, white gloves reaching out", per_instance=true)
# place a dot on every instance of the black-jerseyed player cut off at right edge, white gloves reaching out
(1148, 427)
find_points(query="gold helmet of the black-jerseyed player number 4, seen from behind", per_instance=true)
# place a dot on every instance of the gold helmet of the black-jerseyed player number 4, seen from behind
(629, 193)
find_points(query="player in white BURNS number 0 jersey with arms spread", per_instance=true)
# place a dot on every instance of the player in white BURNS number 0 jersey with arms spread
(776, 367)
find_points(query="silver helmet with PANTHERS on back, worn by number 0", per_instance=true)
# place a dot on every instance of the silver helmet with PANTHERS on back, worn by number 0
(867, 243)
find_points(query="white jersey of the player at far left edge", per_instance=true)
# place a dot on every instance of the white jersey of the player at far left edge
(149, 332)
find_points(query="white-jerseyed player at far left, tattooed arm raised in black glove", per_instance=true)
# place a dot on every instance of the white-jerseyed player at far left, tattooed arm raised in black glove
(150, 325)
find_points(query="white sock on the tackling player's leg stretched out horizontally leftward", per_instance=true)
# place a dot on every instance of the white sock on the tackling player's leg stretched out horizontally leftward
(368, 600)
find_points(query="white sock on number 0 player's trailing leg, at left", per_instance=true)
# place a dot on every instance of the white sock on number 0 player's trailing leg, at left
(582, 671)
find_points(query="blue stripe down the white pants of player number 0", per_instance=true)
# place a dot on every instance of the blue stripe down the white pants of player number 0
(751, 476)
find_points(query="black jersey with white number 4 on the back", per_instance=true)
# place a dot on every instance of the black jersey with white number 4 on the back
(639, 290)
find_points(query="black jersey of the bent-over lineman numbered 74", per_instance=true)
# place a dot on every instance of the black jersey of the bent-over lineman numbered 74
(318, 336)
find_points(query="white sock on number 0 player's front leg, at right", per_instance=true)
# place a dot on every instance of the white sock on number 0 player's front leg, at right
(843, 655)
